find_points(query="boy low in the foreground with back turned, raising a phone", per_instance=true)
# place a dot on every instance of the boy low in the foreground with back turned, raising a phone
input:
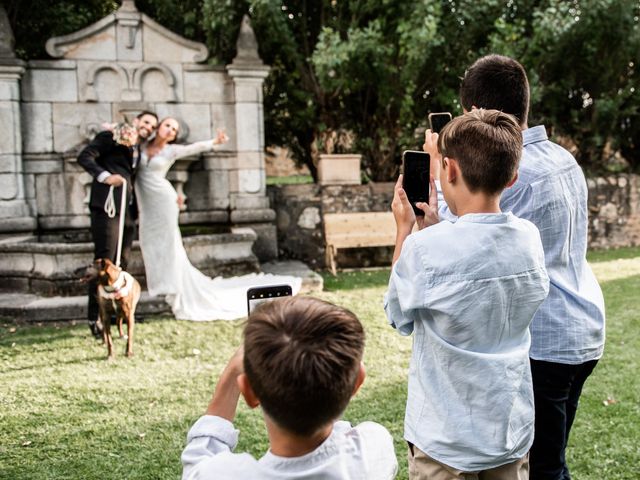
(302, 362)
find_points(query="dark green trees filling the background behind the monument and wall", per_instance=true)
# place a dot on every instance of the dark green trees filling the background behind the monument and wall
(375, 68)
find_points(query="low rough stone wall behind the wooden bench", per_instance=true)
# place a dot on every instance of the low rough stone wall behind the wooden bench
(614, 217)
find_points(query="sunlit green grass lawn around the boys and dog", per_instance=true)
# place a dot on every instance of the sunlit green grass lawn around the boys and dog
(66, 413)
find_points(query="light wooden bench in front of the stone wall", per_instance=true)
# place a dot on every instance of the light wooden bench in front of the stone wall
(359, 229)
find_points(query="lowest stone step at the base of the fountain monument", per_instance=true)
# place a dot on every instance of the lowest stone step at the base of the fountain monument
(30, 308)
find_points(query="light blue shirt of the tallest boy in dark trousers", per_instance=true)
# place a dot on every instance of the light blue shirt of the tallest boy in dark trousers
(551, 192)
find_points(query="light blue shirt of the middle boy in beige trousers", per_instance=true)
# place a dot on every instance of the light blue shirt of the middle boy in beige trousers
(468, 291)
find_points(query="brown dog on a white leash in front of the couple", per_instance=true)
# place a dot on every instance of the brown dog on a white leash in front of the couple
(118, 294)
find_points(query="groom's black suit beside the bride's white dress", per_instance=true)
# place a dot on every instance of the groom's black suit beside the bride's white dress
(103, 154)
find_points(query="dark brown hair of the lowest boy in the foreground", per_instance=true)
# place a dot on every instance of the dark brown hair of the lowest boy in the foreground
(302, 358)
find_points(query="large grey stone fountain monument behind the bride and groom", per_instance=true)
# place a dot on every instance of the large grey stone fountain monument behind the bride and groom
(109, 71)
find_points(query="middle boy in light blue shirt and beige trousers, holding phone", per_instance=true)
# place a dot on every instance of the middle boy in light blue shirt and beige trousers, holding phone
(468, 291)
